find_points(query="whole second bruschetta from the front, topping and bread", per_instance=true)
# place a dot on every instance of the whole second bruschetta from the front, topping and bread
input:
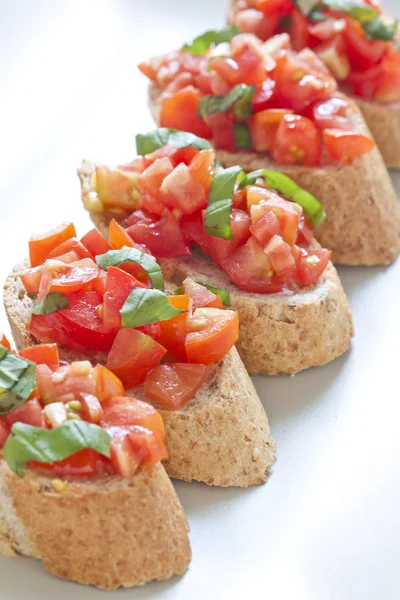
(175, 351)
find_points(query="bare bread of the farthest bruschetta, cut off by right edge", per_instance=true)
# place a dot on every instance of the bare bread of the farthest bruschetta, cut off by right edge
(382, 119)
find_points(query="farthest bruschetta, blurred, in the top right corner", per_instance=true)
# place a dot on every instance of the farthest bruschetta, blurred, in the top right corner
(356, 42)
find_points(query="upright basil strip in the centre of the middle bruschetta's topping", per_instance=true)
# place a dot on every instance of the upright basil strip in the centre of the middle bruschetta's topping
(217, 218)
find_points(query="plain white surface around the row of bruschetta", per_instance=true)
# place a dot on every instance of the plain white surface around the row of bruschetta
(326, 525)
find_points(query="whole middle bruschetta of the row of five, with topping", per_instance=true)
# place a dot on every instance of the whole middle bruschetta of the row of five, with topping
(292, 309)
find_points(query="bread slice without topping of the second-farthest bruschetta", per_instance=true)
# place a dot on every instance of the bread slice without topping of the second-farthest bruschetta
(363, 213)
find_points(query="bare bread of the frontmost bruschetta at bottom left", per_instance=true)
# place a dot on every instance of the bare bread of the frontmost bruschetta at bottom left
(108, 532)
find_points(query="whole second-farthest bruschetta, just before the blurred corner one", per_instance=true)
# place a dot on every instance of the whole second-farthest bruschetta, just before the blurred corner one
(265, 106)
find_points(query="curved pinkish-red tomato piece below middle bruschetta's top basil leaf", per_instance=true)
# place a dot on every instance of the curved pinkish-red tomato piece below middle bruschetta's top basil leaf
(150, 181)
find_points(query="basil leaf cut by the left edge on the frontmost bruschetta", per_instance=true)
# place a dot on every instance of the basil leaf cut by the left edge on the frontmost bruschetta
(17, 380)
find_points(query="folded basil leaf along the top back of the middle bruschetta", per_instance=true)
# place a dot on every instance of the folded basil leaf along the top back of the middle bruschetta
(146, 143)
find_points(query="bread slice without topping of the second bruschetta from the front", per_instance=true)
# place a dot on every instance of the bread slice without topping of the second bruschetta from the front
(221, 437)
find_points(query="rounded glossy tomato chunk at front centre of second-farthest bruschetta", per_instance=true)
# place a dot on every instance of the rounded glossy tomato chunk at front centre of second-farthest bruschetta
(297, 141)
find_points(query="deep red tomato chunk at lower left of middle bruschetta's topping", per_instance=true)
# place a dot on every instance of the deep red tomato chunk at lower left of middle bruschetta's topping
(163, 237)
